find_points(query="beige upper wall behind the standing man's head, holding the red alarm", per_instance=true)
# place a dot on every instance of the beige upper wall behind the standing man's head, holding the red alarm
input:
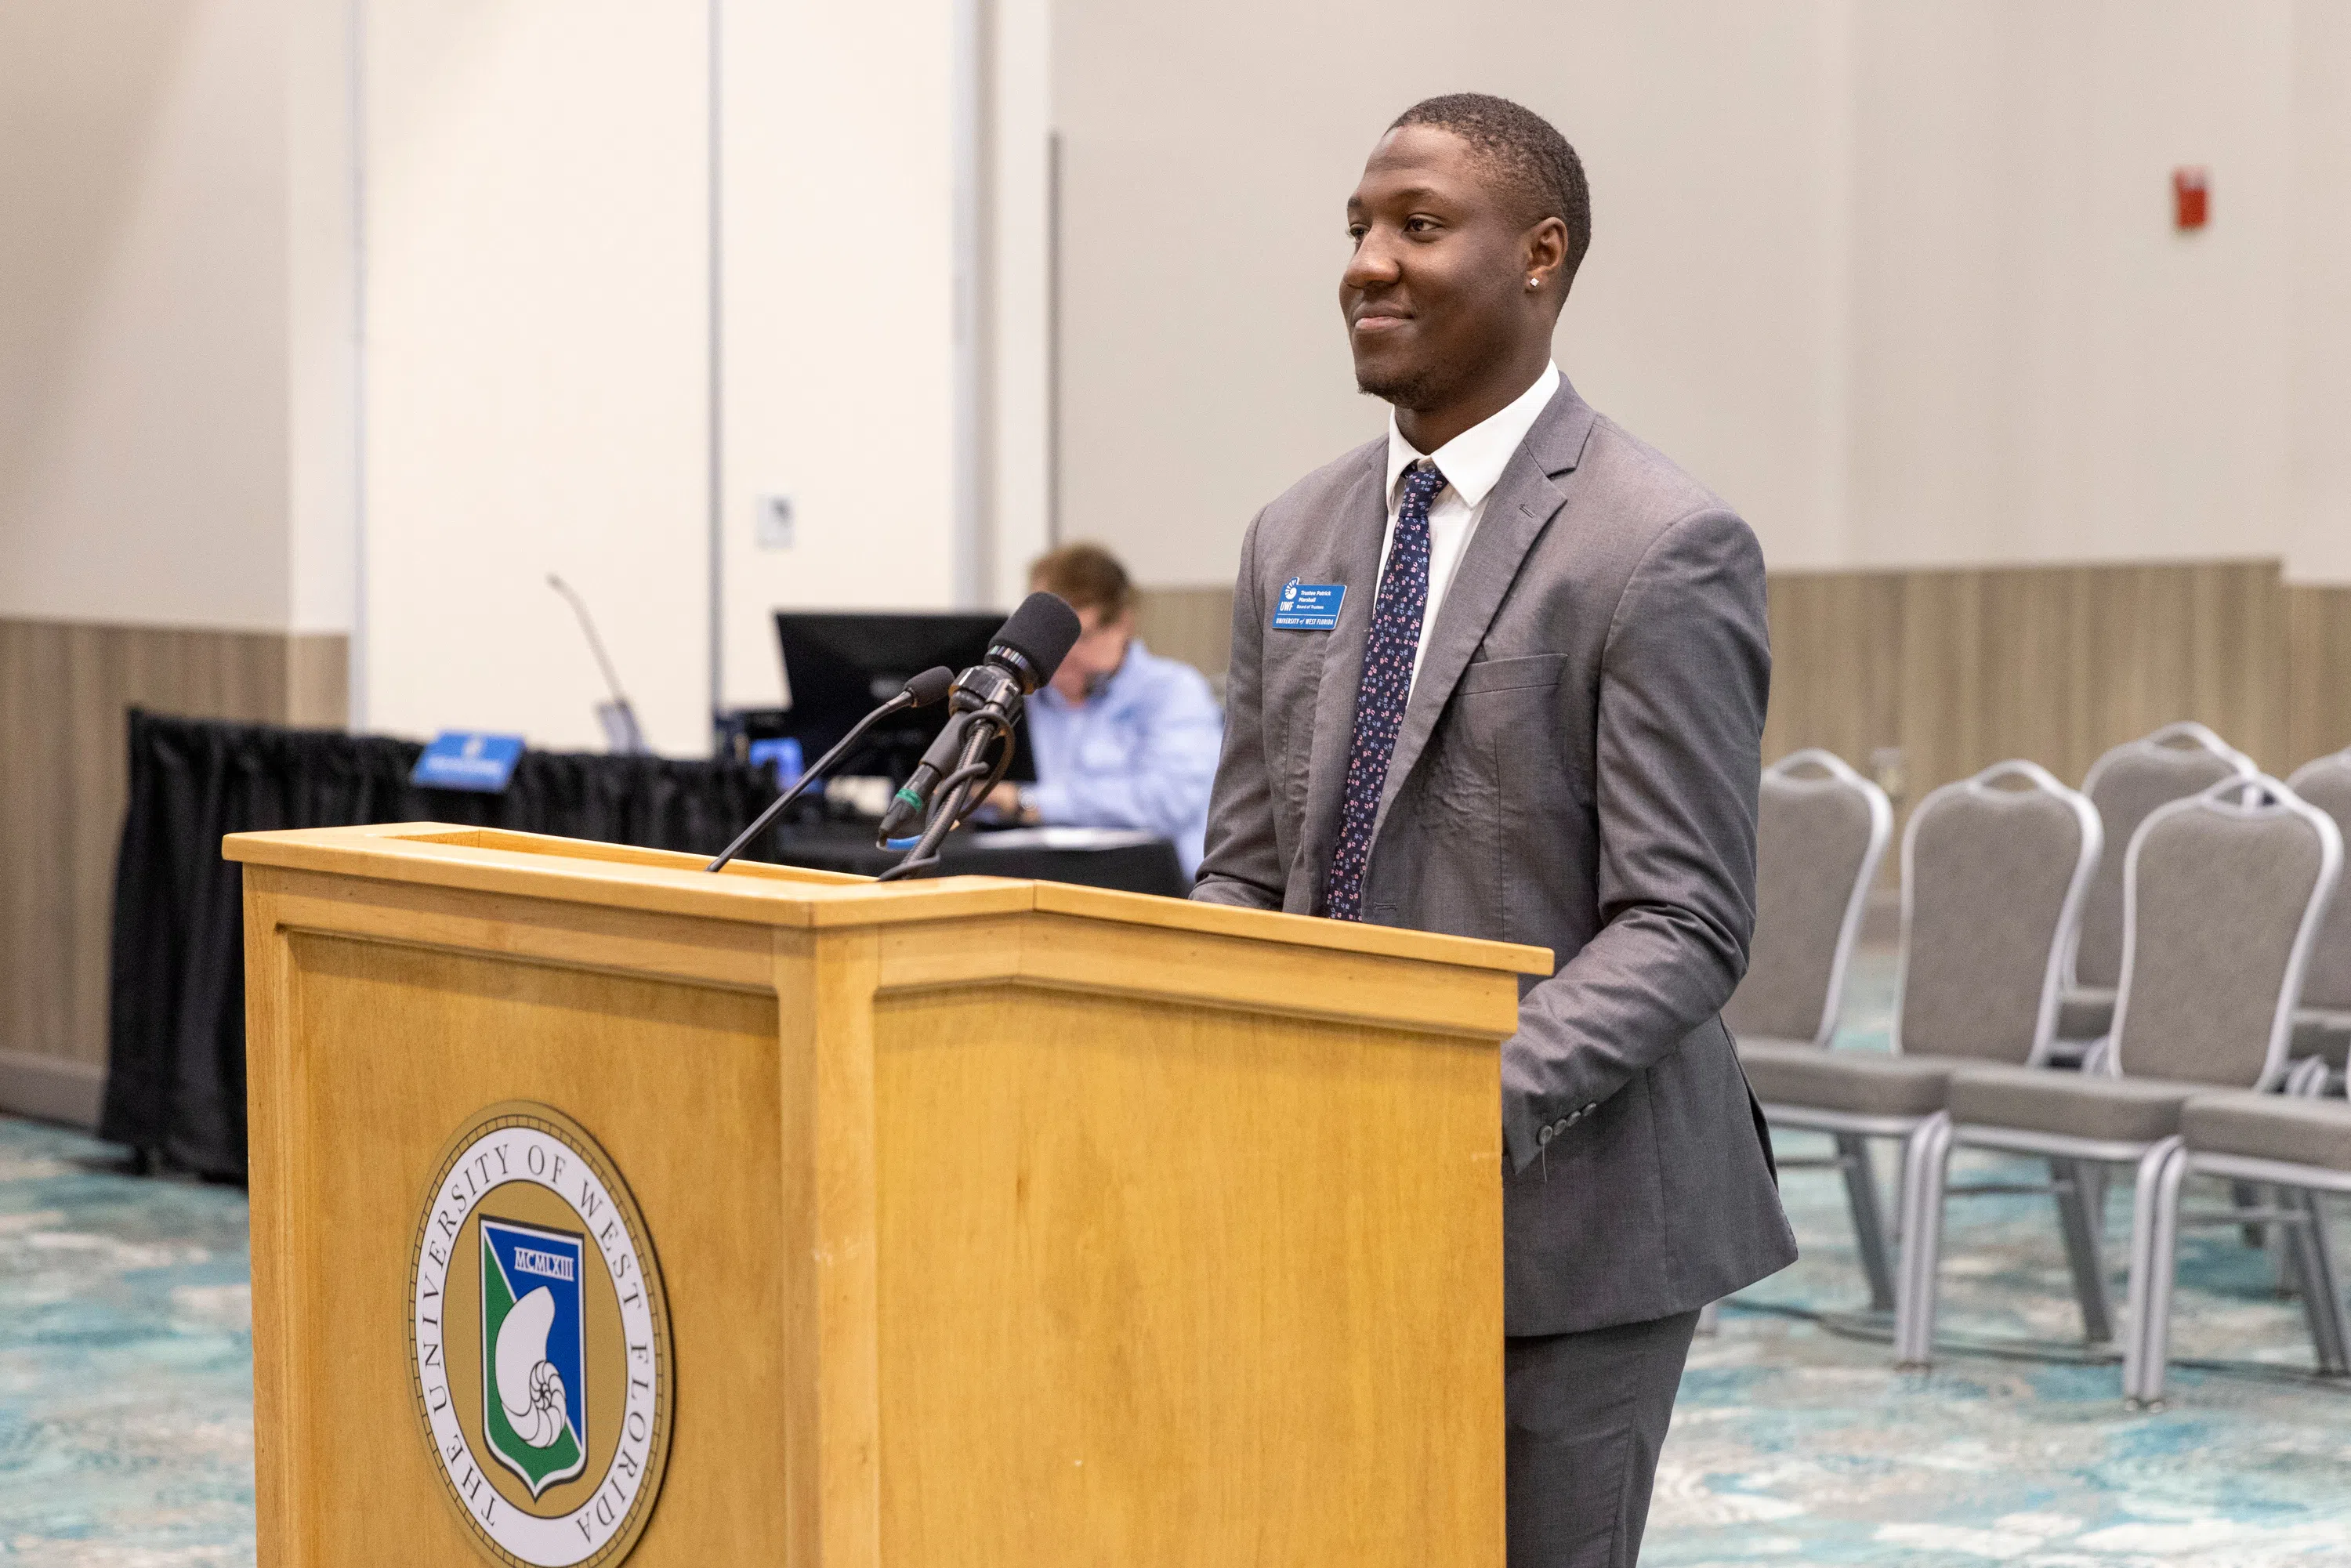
(1901, 281)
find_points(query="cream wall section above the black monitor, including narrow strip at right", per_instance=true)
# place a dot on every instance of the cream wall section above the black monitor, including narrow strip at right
(840, 323)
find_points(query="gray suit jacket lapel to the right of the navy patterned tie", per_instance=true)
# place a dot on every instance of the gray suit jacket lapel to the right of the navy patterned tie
(1520, 507)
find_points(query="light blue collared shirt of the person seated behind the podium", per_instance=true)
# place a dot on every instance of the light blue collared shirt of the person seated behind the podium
(1141, 753)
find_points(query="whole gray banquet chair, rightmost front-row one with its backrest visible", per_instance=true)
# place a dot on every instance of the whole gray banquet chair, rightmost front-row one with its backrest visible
(2223, 894)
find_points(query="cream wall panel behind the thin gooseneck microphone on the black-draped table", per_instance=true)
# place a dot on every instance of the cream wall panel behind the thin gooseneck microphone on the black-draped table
(537, 363)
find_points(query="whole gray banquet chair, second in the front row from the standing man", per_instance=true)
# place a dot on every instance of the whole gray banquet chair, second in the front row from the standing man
(1992, 880)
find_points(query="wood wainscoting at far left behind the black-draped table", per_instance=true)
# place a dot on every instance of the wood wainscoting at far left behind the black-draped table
(65, 772)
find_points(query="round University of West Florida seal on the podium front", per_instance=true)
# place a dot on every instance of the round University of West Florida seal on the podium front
(540, 1341)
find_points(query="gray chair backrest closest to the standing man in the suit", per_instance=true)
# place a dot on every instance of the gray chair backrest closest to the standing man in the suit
(1818, 843)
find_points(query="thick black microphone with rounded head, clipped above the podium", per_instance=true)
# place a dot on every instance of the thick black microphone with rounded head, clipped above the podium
(984, 709)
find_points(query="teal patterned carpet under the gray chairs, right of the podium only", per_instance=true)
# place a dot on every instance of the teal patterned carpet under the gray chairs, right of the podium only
(1797, 1445)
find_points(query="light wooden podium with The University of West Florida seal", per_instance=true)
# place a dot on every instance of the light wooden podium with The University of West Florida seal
(967, 1221)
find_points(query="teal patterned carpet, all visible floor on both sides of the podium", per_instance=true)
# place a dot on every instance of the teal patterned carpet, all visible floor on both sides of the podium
(126, 1395)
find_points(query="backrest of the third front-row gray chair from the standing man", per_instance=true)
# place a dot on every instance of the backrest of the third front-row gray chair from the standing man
(2223, 897)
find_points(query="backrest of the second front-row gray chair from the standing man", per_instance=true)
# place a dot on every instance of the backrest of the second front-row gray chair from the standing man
(1995, 871)
